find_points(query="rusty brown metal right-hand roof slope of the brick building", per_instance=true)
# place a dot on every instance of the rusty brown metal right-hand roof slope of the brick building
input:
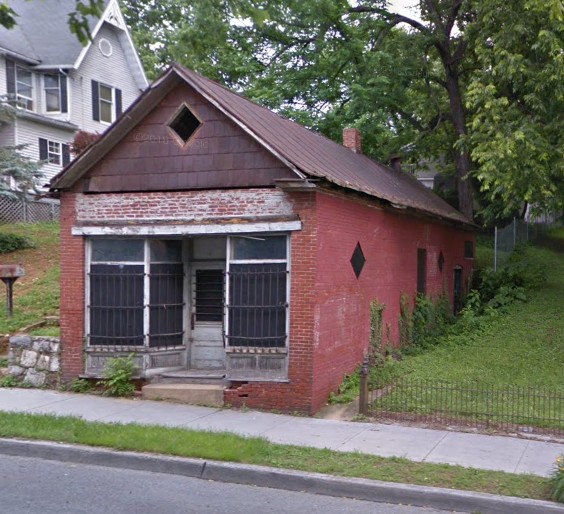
(320, 157)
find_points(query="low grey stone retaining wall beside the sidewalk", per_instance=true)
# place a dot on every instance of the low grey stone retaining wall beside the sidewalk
(35, 360)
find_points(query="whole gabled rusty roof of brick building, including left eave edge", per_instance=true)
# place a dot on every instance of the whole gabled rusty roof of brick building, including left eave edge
(307, 153)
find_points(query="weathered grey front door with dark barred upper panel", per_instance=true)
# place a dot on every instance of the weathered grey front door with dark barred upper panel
(207, 283)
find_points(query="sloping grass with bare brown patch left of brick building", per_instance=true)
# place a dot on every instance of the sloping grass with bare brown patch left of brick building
(37, 294)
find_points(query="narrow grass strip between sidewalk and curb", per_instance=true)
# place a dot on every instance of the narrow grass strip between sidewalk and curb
(255, 450)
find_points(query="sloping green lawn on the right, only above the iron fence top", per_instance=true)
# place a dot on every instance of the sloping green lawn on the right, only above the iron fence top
(523, 346)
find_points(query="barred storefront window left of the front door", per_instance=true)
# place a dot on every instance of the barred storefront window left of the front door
(136, 293)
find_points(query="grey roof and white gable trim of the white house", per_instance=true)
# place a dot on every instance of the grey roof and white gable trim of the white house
(42, 38)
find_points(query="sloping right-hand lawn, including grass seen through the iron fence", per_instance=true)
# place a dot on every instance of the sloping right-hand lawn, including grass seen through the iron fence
(504, 368)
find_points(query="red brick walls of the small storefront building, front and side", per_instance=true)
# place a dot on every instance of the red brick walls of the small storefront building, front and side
(329, 306)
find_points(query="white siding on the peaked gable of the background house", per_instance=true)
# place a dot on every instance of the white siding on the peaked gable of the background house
(112, 71)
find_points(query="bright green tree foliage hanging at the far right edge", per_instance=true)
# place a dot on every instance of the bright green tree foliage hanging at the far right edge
(517, 97)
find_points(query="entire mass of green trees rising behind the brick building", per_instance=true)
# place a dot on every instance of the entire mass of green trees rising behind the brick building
(426, 86)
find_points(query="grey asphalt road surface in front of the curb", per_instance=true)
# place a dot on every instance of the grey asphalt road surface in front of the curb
(36, 486)
